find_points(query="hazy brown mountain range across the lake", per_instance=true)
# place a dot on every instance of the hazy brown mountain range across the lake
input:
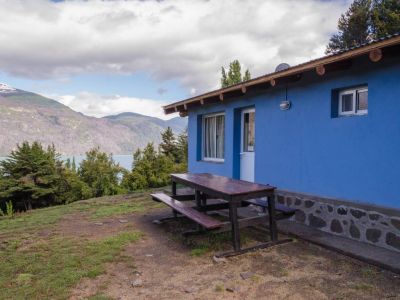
(32, 117)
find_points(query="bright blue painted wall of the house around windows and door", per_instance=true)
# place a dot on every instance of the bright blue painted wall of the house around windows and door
(306, 150)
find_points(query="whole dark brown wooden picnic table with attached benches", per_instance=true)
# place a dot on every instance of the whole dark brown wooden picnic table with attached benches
(231, 195)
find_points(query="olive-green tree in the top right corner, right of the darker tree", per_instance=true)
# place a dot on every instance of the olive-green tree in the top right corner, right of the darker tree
(385, 17)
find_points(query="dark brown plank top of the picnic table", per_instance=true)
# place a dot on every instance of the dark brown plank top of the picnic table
(222, 186)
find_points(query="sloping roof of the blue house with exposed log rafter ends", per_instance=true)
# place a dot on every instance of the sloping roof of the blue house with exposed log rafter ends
(337, 61)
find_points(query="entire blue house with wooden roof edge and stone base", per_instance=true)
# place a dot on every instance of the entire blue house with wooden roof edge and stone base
(325, 132)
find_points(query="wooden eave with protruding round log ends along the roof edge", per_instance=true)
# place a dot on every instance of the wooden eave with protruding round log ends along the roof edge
(269, 80)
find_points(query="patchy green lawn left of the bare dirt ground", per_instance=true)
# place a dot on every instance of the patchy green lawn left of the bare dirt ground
(47, 267)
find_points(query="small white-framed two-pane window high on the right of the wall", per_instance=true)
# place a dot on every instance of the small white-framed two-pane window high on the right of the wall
(353, 101)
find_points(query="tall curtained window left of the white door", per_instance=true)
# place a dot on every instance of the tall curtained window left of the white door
(213, 137)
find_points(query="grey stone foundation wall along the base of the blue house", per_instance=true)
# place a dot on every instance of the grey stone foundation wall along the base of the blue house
(371, 224)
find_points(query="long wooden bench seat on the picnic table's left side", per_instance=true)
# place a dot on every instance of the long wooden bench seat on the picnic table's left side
(191, 213)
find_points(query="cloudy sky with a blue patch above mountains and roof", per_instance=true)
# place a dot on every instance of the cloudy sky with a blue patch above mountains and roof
(107, 57)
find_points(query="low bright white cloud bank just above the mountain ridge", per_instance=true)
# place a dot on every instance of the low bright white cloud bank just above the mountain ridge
(95, 105)
